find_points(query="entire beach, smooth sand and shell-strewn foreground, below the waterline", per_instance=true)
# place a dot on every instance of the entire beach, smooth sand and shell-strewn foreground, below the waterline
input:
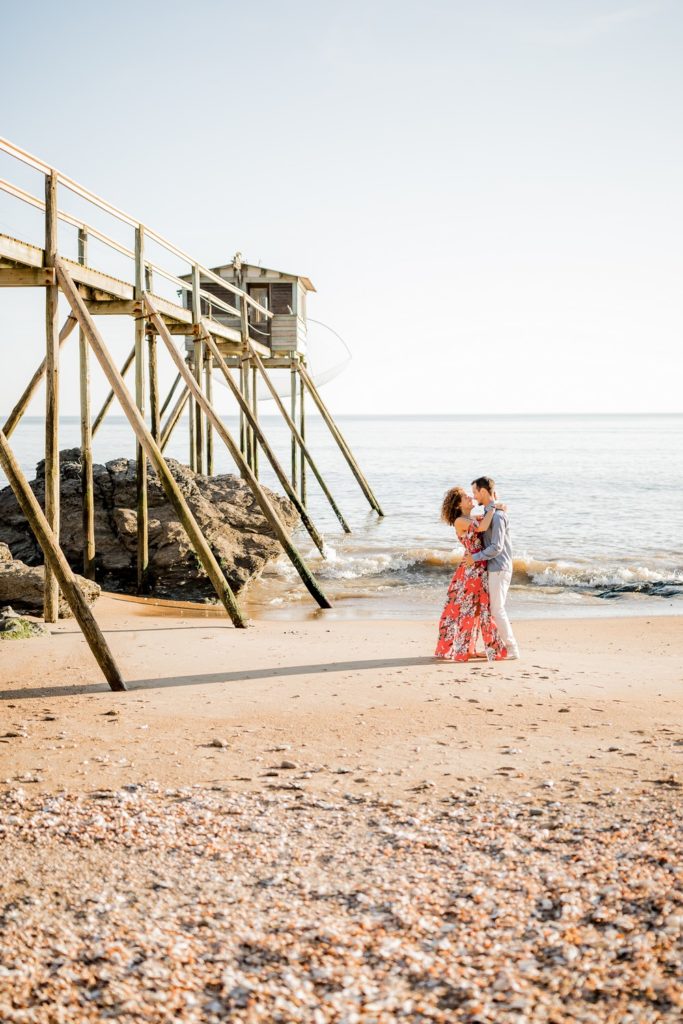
(319, 823)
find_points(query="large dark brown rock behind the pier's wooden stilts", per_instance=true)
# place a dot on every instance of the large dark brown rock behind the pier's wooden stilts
(224, 506)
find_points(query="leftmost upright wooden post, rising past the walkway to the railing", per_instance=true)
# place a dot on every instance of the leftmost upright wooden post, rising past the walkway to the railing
(52, 607)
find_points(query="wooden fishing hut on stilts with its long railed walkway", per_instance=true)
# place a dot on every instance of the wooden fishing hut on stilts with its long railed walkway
(226, 327)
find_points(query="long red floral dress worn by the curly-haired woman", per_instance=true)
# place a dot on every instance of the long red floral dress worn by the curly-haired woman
(467, 611)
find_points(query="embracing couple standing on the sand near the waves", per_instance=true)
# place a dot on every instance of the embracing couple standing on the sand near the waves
(476, 603)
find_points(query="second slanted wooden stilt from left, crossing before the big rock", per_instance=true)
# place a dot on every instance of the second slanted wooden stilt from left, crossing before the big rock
(172, 489)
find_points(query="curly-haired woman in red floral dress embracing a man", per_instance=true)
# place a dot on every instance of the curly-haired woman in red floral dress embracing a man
(467, 610)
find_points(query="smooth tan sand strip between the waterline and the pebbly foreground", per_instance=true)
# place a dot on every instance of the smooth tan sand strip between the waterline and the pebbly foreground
(353, 706)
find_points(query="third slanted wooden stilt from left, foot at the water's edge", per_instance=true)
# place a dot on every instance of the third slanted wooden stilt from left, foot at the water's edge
(257, 489)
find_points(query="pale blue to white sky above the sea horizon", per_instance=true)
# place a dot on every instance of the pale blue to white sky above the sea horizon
(487, 196)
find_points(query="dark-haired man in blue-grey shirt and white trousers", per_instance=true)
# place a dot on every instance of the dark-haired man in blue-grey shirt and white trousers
(497, 552)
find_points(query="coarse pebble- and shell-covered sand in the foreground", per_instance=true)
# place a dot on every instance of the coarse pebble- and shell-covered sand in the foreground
(201, 905)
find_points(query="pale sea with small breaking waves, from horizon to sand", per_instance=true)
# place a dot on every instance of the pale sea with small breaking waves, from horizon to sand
(595, 505)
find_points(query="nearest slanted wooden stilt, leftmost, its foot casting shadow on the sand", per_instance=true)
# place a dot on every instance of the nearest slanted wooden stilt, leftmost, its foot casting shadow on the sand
(59, 566)
